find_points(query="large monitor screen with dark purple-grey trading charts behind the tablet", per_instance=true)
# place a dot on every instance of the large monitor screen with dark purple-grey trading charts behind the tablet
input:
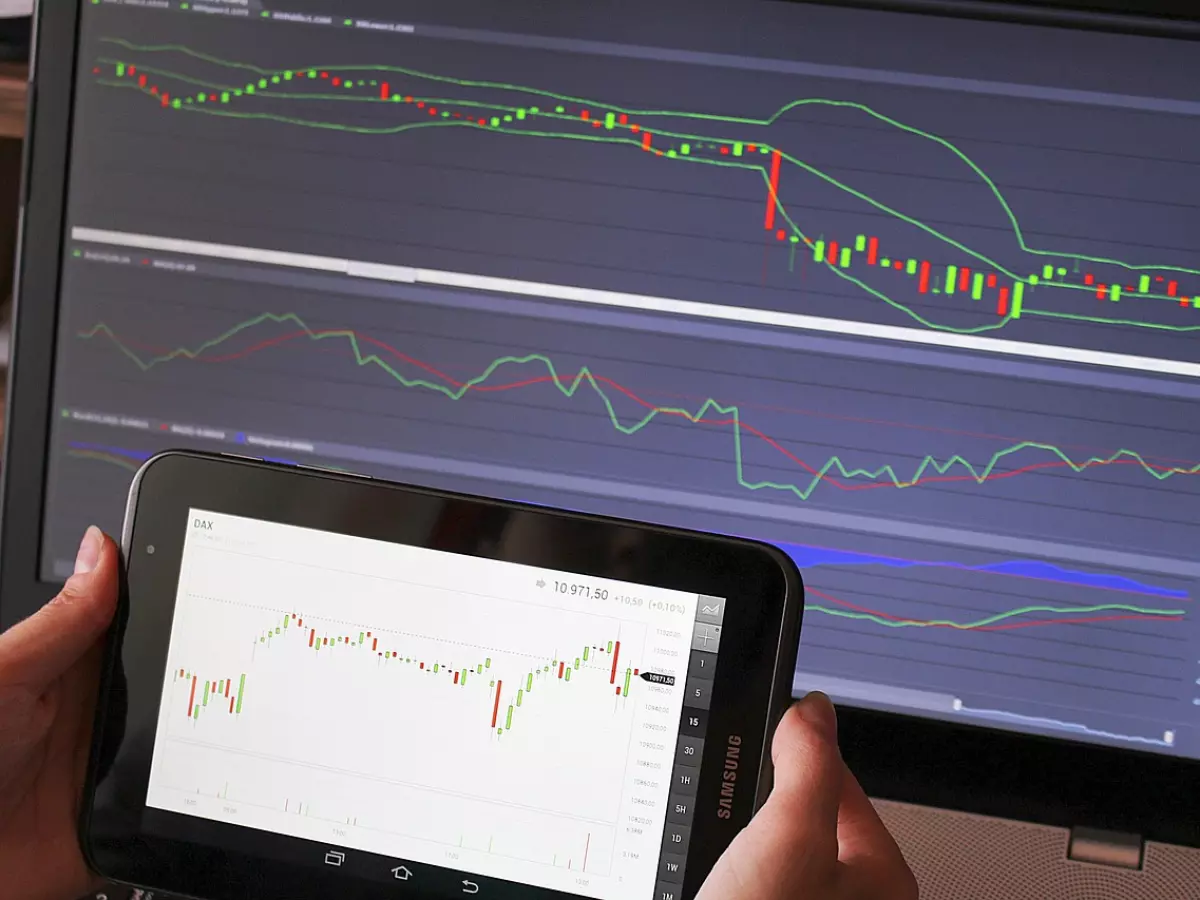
(916, 299)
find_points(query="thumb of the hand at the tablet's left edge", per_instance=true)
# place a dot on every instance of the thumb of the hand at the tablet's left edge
(37, 652)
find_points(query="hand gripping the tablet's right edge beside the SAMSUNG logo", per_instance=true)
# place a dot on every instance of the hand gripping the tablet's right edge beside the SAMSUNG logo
(818, 837)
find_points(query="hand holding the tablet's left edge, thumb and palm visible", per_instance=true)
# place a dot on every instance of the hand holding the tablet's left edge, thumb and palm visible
(50, 668)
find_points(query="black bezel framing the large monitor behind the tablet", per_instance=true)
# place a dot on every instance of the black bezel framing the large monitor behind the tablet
(898, 758)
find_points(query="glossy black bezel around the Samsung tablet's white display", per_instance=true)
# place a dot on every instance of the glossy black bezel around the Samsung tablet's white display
(127, 842)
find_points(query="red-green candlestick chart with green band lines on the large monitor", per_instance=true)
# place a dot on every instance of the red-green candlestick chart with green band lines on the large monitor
(908, 271)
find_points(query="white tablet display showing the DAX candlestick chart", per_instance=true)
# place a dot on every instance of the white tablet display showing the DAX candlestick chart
(394, 700)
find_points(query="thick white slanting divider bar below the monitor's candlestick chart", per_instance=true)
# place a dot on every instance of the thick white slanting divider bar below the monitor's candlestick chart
(641, 302)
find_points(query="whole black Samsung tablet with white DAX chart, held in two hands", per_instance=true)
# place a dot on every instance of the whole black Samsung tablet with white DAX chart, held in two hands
(326, 686)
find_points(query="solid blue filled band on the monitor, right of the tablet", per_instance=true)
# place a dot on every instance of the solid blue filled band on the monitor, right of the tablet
(811, 557)
